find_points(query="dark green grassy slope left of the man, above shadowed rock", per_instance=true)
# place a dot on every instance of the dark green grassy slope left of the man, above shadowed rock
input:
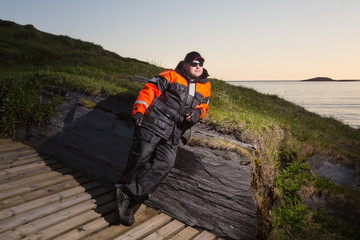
(33, 62)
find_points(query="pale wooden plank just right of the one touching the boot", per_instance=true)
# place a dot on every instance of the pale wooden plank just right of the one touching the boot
(146, 228)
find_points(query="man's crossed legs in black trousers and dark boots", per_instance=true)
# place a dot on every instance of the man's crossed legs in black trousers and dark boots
(151, 160)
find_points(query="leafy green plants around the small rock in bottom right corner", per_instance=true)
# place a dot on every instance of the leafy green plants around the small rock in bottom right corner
(294, 220)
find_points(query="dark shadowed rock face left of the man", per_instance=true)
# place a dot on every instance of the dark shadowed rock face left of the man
(93, 141)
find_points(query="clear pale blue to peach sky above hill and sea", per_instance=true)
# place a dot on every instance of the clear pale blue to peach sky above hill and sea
(239, 39)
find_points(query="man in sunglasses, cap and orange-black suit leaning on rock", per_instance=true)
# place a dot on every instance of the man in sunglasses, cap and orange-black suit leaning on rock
(165, 108)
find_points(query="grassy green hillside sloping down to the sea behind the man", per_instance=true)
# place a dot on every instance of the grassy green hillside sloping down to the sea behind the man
(33, 62)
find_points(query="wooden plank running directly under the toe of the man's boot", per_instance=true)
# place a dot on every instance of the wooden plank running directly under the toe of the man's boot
(114, 231)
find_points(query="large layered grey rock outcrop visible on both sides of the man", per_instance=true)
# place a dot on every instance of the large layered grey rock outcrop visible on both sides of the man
(207, 188)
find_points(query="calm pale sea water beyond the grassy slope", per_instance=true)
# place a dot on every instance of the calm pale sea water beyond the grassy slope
(340, 100)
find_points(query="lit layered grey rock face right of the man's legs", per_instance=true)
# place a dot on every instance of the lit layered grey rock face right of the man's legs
(210, 189)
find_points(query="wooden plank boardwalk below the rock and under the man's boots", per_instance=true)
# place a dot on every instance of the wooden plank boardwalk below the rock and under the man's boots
(40, 198)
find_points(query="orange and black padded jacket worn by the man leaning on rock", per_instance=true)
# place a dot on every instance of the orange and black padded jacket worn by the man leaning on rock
(168, 97)
